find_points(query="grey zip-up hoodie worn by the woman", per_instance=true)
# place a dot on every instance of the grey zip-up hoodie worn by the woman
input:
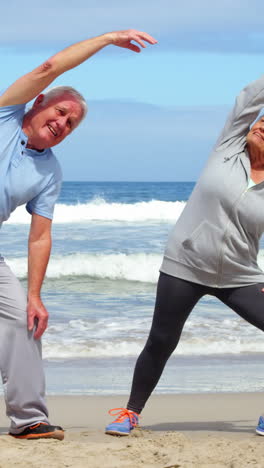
(216, 239)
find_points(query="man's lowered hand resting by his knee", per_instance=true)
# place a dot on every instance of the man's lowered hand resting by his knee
(37, 316)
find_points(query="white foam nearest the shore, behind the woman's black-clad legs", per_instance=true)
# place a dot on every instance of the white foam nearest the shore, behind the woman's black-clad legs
(123, 337)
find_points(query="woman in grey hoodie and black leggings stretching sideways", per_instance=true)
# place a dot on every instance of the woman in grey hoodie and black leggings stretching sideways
(212, 248)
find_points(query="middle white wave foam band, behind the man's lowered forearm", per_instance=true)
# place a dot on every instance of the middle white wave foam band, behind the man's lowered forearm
(134, 267)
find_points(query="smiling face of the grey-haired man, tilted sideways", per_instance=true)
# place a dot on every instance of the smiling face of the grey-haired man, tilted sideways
(49, 123)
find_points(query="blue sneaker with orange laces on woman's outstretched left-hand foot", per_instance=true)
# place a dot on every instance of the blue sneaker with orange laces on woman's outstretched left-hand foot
(125, 422)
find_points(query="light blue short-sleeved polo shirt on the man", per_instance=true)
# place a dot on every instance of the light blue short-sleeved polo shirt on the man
(27, 176)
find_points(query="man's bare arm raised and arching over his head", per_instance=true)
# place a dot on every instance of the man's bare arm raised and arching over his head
(30, 85)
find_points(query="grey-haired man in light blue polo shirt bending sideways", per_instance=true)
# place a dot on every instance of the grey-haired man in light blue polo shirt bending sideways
(31, 175)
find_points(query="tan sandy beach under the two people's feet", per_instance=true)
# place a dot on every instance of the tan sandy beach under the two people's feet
(213, 430)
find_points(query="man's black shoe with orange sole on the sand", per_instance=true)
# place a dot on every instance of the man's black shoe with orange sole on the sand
(40, 431)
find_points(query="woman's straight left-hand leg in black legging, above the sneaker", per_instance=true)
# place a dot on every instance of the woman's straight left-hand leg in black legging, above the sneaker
(175, 300)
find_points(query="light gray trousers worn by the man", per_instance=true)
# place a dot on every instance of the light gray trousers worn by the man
(20, 357)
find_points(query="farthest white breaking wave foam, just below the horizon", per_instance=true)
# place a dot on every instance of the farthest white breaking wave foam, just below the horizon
(100, 210)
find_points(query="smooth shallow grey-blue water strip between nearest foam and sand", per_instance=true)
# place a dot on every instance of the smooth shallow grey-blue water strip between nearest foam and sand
(182, 375)
